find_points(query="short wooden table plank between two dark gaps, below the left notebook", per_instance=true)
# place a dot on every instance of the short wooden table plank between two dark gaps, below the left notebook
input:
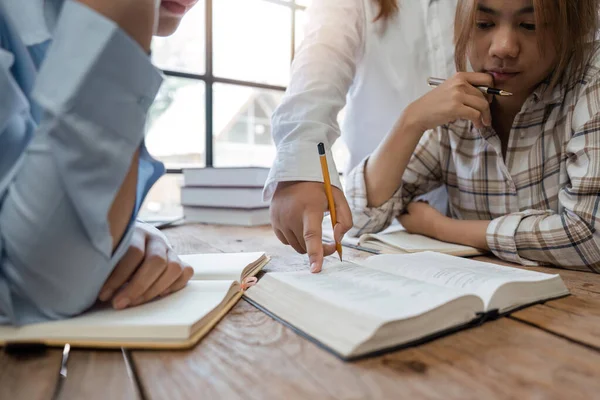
(98, 375)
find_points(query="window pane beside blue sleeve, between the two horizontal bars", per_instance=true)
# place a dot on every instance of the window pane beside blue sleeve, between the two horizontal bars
(176, 123)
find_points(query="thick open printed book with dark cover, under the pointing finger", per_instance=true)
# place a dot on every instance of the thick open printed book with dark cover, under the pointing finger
(392, 301)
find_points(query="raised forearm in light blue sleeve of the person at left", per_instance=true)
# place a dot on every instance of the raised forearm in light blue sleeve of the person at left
(95, 113)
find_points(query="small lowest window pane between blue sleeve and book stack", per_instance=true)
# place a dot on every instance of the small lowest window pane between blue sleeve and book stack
(164, 199)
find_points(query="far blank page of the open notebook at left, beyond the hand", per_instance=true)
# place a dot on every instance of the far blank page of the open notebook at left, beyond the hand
(221, 266)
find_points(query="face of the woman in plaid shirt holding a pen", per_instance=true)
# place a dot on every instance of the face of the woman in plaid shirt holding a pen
(505, 45)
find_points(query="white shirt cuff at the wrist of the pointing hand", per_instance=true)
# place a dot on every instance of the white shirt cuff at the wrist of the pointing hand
(299, 162)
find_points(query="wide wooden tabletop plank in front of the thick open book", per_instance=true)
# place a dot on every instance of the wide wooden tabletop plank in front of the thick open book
(250, 356)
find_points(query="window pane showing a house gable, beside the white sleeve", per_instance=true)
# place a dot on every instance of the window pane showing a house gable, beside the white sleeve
(242, 125)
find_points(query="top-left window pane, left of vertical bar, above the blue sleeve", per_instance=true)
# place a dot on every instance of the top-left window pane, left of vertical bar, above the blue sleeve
(184, 50)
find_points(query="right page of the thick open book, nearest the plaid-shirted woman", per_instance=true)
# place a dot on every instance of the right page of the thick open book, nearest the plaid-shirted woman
(468, 276)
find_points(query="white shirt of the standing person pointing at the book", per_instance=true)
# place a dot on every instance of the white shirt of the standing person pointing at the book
(374, 68)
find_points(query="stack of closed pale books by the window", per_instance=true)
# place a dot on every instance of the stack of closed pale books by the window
(225, 196)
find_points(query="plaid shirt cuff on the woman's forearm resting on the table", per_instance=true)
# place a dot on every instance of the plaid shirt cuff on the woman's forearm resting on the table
(501, 236)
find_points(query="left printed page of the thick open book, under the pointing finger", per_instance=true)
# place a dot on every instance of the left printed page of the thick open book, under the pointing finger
(371, 292)
